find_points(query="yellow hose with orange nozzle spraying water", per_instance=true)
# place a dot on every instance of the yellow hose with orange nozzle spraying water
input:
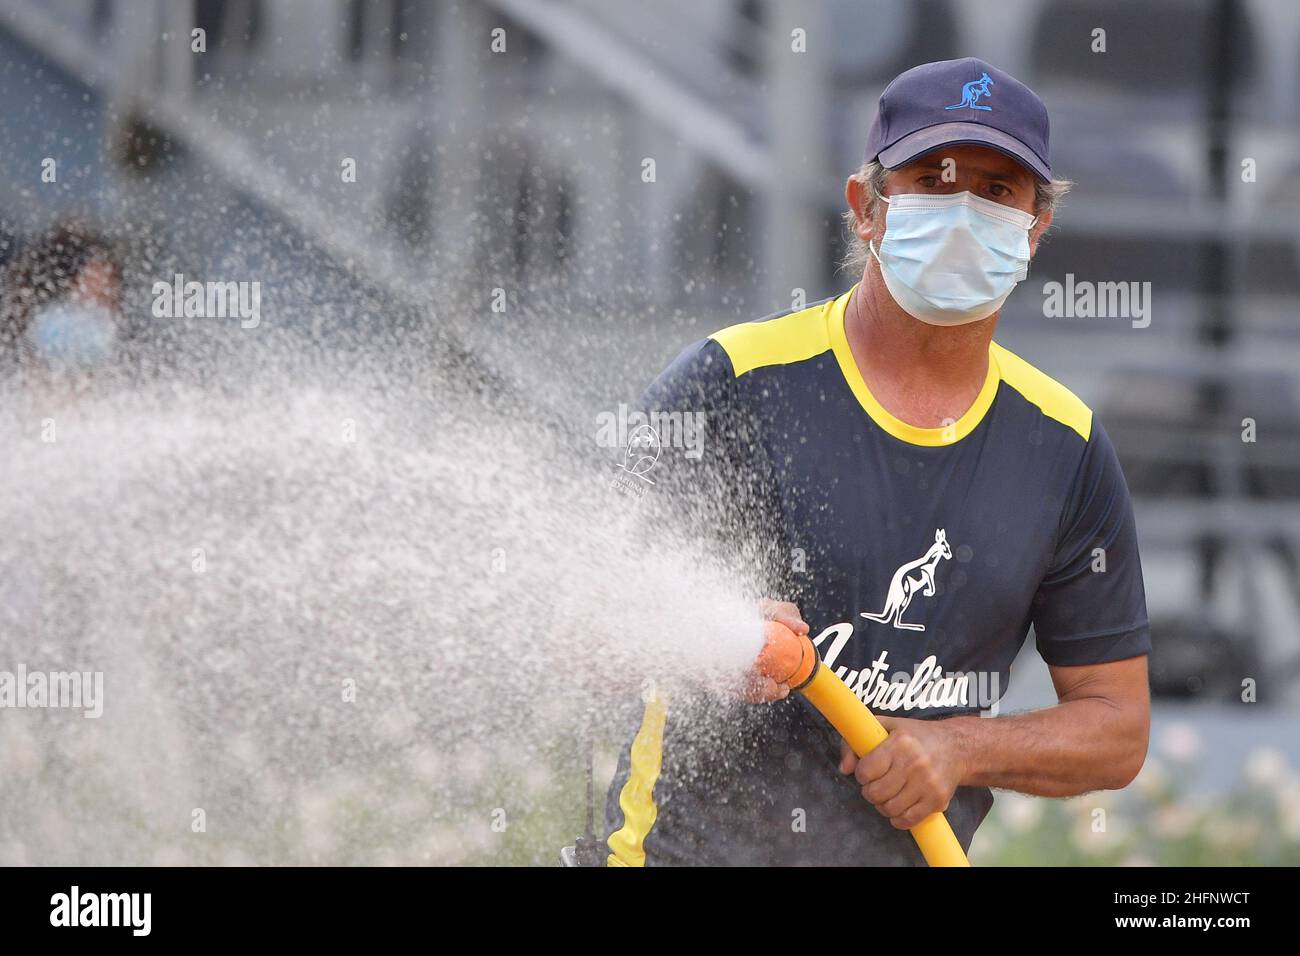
(791, 659)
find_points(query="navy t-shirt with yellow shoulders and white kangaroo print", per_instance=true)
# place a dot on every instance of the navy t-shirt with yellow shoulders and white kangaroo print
(920, 557)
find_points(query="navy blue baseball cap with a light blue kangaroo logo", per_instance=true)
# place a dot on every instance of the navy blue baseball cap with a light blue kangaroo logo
(956, 102)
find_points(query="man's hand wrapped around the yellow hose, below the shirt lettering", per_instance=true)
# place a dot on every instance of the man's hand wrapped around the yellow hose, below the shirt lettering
(912, 775)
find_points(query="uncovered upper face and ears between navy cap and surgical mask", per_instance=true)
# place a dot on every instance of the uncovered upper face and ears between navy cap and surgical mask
(977, 170)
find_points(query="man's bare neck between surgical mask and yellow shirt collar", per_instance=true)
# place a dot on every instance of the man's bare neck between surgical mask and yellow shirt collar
(922, 374)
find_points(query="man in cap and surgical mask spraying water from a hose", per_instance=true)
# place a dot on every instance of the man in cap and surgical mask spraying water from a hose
(920, 498)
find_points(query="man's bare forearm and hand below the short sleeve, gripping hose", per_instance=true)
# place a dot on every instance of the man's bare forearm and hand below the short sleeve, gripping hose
(1095, 738)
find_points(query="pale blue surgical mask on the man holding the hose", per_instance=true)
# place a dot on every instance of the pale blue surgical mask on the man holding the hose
(952, 259)
